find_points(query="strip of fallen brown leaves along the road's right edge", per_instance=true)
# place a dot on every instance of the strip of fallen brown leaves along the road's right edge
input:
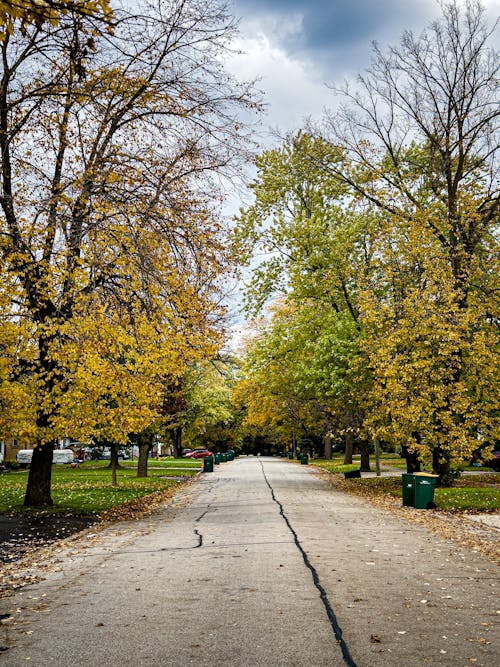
(451, 525)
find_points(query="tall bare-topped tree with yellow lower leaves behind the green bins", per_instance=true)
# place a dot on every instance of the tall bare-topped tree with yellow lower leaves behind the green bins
(420, 137)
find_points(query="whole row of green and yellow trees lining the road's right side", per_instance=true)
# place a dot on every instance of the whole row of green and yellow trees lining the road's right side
(378, 294)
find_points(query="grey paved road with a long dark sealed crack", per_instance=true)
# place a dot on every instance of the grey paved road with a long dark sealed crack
(261, 563)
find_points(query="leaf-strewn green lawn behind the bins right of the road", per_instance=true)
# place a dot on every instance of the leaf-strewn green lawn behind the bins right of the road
(474, 493)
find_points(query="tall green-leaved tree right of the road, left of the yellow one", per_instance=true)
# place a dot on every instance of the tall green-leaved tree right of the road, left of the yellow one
(316, 241)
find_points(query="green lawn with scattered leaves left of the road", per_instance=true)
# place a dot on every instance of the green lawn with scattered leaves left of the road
(87, 490)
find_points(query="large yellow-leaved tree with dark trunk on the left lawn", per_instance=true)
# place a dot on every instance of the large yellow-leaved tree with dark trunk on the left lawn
(109, 239)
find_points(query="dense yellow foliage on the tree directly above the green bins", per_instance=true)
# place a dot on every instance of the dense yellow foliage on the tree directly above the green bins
(431, 357)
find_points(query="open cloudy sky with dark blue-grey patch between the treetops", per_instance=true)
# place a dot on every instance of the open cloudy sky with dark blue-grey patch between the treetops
(298, 46)
